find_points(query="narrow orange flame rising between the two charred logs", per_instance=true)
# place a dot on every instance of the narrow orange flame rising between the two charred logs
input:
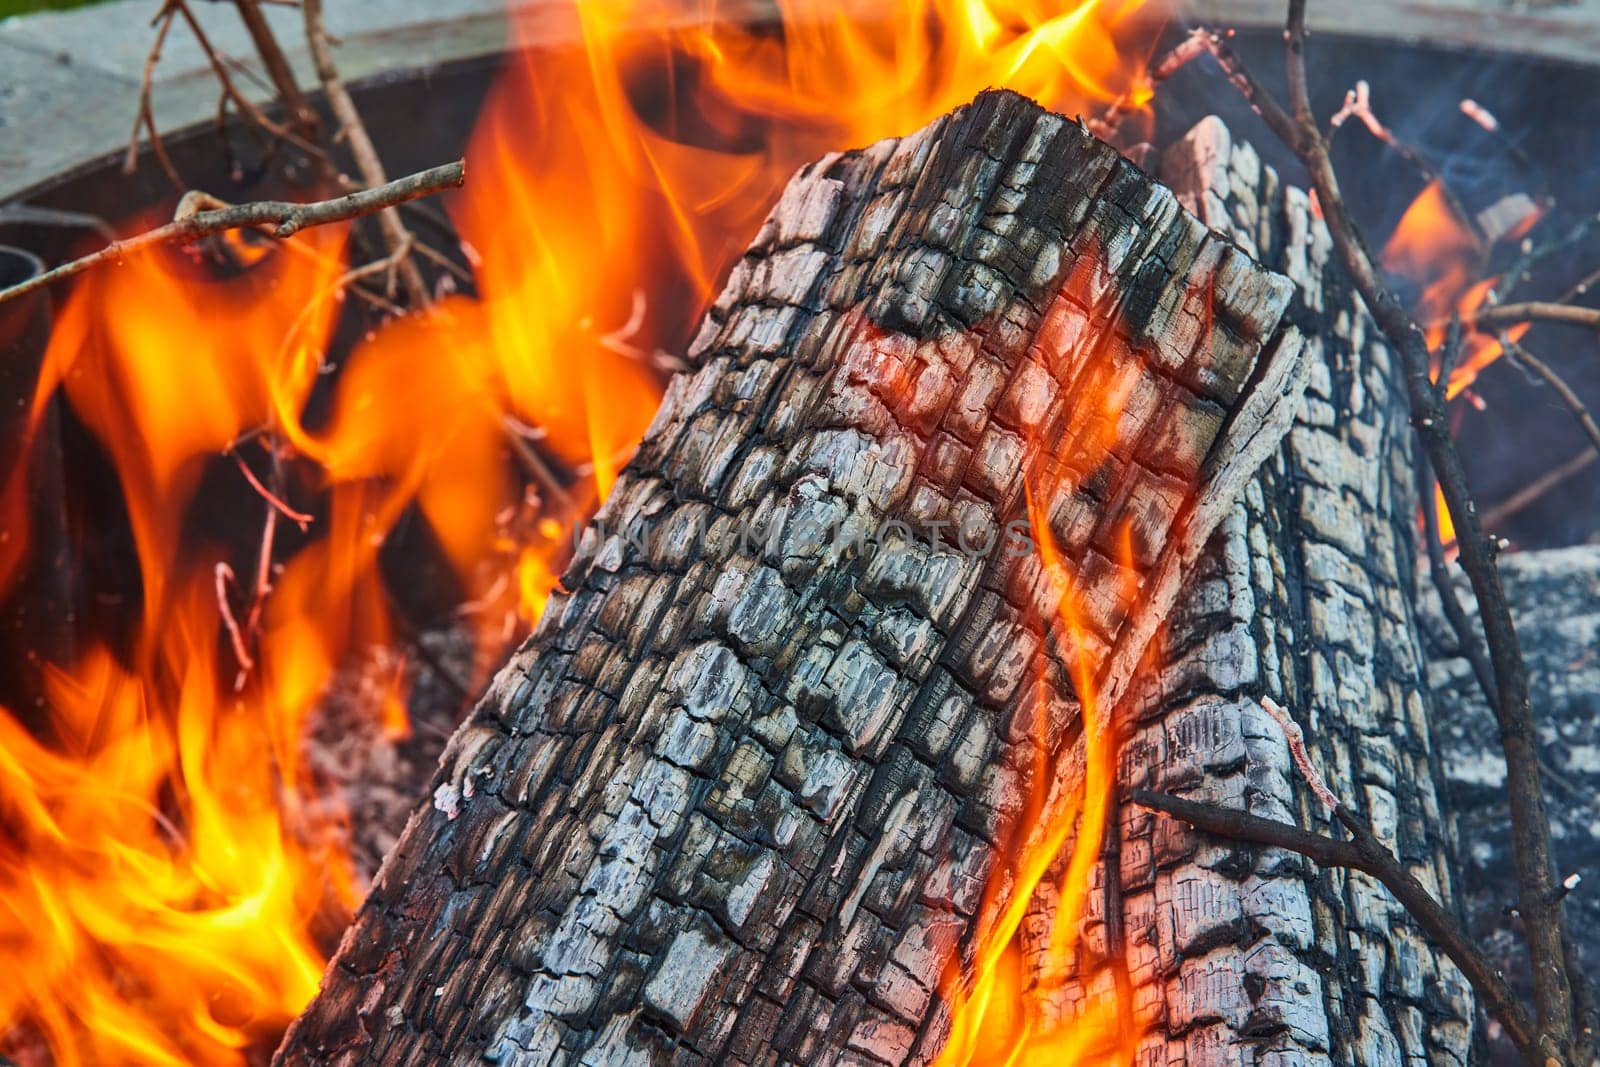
(999, 1017)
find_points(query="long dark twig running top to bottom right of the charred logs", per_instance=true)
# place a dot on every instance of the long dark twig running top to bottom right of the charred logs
(1540, 900)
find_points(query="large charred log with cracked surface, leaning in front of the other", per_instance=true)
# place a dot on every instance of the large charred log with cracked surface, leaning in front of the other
(738, 797)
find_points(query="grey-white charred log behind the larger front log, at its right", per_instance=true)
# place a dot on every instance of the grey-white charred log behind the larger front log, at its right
(1247, 956)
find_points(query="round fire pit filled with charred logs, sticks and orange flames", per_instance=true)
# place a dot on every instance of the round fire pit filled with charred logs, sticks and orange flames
(977, 548)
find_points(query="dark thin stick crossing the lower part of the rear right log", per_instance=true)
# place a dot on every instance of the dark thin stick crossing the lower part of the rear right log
(1367, 855)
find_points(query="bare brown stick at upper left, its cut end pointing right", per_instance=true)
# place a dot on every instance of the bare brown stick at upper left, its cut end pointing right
(278, 218)
